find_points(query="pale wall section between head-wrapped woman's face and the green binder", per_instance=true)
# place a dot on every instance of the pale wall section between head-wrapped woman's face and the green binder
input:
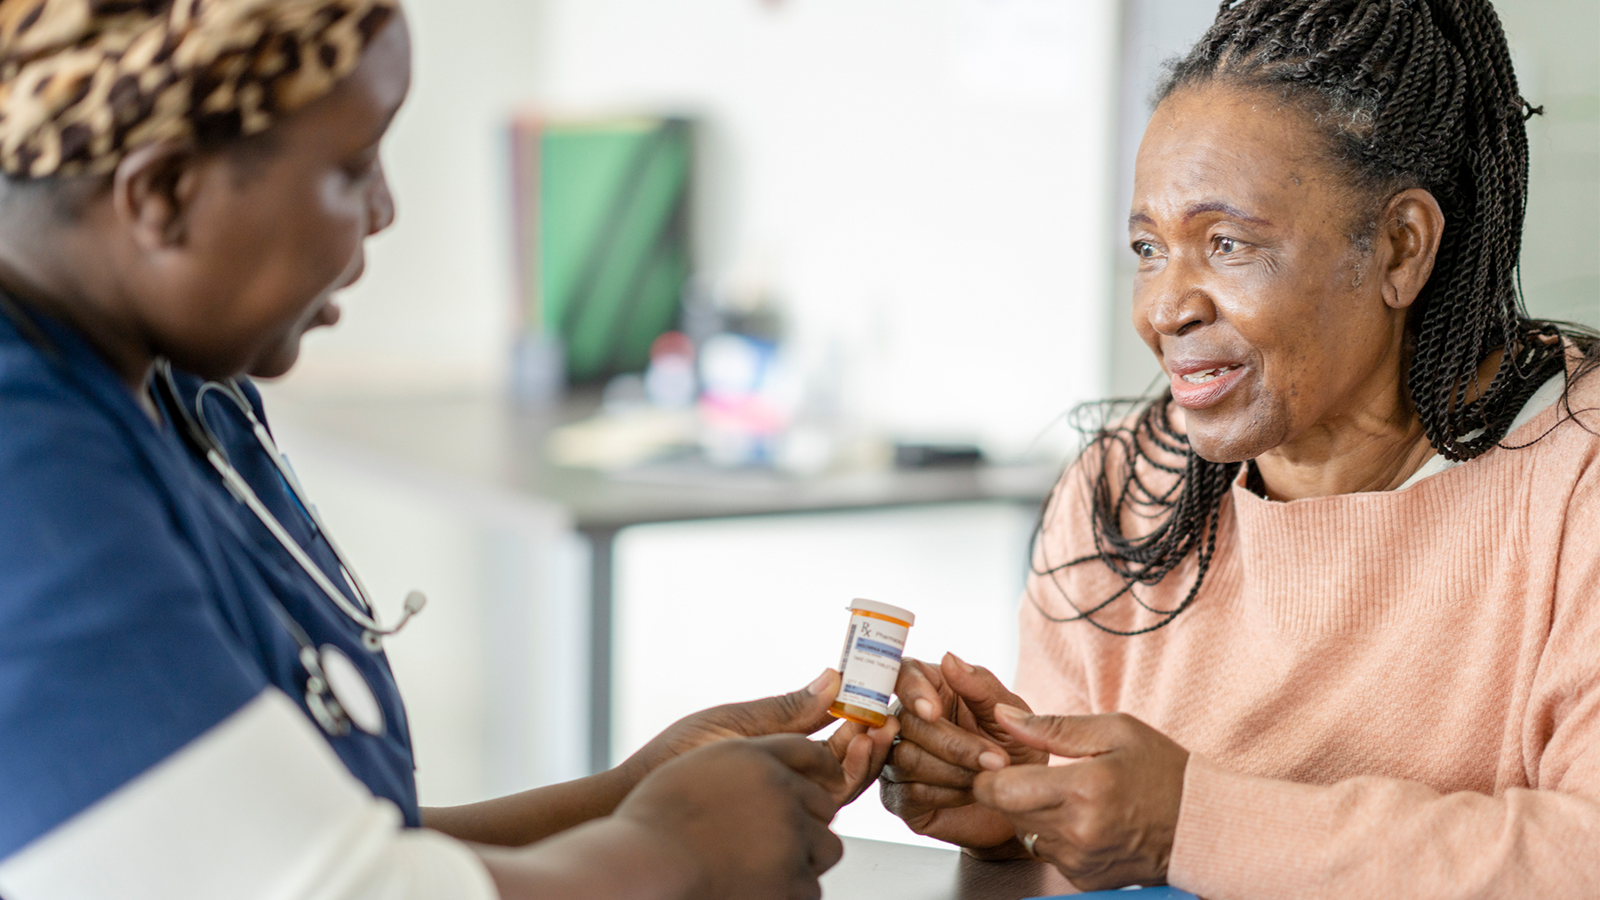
(434, 311)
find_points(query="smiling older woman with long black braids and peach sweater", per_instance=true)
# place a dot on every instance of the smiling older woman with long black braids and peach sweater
(1322, 621)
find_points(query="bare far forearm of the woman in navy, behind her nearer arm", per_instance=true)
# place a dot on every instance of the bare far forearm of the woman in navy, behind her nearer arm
(534, 816)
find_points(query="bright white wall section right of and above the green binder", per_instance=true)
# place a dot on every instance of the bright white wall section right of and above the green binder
(921, 182)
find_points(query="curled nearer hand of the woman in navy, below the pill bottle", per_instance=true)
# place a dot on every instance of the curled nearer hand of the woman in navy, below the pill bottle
(751, 816)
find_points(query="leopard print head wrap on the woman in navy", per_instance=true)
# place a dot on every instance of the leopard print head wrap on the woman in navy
(84, 82)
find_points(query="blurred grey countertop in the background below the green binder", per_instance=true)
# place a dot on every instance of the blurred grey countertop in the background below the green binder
(487, 441)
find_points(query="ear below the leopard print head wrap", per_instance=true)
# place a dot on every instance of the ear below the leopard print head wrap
(154, 193)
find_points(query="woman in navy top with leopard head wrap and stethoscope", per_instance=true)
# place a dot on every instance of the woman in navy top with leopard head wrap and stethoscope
(194, 699)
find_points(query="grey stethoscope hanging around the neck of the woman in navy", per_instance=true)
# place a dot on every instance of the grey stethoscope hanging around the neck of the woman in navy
(337, 693)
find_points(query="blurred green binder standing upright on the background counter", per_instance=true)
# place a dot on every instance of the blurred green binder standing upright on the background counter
(604, 236)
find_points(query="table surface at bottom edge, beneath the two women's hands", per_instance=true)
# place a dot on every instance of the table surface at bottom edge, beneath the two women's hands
(876, 870)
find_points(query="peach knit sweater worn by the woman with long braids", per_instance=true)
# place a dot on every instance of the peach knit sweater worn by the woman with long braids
(1383, 694)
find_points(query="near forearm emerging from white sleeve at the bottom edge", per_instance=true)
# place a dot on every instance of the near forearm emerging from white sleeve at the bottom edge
(610, 859)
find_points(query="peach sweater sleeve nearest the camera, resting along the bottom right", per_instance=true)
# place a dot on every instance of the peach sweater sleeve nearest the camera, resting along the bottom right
(1244, 838)
